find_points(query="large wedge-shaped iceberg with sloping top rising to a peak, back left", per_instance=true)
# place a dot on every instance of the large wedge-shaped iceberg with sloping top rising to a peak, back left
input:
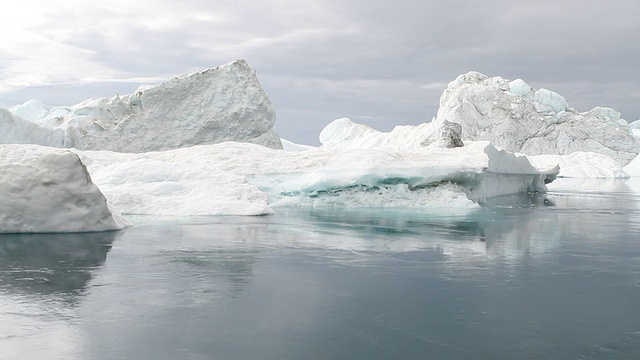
(225, 103)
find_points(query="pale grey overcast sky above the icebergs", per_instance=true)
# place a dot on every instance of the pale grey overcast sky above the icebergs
(383, 63)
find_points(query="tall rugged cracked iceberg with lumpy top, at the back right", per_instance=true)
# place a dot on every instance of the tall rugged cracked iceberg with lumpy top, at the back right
(519, 118)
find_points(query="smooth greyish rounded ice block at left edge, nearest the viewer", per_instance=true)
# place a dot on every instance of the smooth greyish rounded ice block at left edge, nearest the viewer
(49, 190)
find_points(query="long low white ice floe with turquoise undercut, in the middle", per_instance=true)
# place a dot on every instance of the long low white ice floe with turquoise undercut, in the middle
(246, 179)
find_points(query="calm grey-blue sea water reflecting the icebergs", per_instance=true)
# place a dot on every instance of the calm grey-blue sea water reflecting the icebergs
(554, 277)
